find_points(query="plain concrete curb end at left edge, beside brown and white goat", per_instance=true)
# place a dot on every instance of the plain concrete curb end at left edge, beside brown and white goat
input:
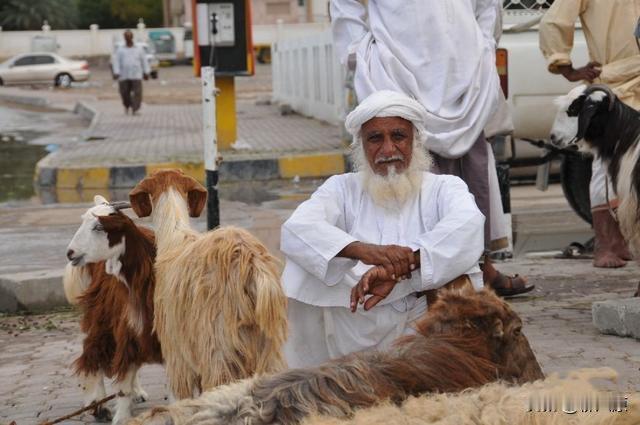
(32, 291)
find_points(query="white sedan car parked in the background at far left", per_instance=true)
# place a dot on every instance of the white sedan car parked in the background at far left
(32, 68)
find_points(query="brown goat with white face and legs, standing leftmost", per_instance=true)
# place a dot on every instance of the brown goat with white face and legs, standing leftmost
(117, 256)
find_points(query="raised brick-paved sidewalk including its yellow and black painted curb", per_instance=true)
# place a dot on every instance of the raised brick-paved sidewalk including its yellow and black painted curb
(118, 150)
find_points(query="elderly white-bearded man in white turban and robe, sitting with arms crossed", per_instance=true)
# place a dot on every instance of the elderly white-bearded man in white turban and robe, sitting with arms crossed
(379, 236)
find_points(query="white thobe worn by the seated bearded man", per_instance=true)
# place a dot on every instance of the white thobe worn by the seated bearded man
(443, 223)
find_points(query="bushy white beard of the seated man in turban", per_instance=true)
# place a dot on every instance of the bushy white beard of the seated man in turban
(393, 191)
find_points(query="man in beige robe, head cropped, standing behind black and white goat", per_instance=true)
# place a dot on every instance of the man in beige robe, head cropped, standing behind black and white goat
(610, 28)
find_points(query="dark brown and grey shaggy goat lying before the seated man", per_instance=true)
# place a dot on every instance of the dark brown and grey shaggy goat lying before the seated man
(465, 340)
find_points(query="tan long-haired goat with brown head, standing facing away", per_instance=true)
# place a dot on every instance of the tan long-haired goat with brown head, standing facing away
(220, 307)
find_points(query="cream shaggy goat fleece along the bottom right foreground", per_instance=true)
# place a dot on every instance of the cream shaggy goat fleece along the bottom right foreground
(500, 404)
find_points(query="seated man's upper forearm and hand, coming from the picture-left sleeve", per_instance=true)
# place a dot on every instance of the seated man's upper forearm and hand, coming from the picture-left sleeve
(398, 261)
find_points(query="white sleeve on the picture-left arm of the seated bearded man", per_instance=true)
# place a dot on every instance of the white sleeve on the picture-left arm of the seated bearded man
(313, 236)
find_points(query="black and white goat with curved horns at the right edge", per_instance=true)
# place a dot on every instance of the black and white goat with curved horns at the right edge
(595, 119)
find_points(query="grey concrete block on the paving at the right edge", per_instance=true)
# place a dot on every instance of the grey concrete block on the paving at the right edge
(617, 317)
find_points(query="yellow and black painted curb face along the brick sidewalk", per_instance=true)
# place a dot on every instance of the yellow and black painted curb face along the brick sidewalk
(234, 168)
